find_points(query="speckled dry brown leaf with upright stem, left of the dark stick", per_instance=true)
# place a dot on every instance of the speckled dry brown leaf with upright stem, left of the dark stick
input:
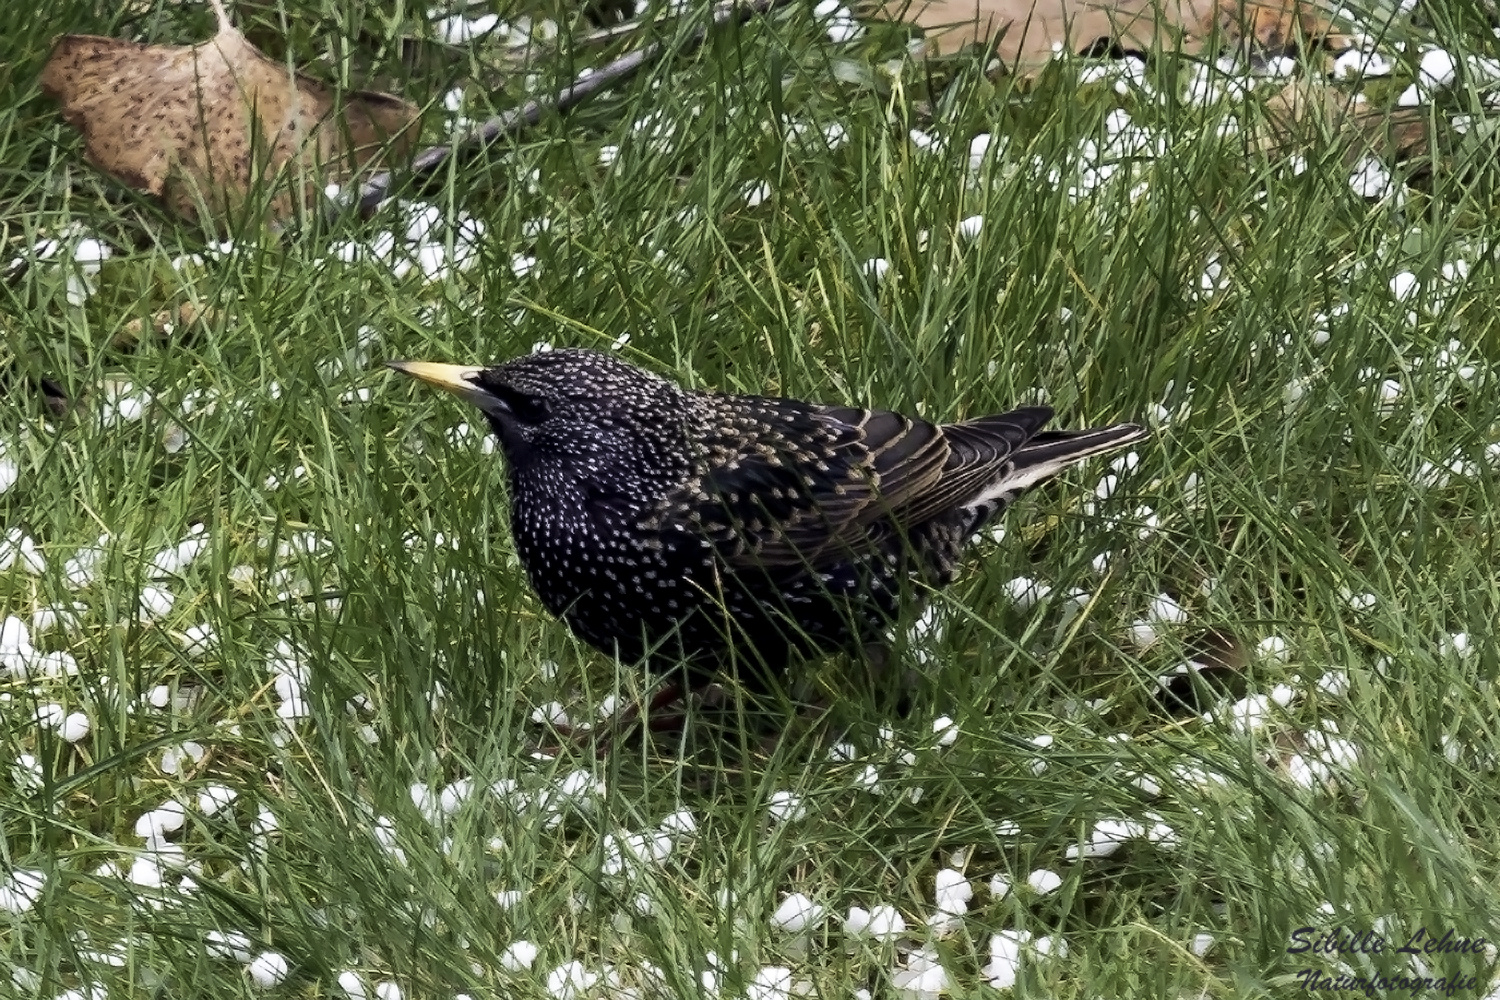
(200, 125)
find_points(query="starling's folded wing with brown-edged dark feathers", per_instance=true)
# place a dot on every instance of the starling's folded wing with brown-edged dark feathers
(793, 484)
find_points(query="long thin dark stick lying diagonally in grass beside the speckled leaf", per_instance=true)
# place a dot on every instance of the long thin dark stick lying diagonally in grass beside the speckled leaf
(377, 190)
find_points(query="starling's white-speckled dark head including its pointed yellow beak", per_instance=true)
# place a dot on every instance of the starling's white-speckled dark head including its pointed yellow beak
(577, 407)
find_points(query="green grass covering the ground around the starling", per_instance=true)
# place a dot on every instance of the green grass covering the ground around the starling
(425, 659)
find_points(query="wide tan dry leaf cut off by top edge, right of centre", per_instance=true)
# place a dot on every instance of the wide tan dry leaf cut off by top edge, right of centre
(1031, 31)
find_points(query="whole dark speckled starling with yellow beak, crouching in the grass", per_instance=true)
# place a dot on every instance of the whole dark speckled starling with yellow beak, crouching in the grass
(707, 530)
